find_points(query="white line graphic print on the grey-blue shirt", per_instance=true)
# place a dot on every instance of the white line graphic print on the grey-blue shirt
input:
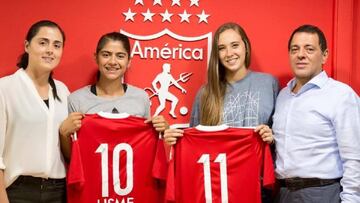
(242, 108)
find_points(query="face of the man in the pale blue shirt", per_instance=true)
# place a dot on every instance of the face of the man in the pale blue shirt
(306, 57)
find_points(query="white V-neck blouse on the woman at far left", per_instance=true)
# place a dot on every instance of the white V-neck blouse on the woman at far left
(29, 138)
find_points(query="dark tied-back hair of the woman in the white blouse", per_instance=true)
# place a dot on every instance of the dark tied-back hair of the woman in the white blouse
(23, 60)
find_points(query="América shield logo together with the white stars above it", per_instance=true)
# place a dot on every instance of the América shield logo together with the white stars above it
(169, 66)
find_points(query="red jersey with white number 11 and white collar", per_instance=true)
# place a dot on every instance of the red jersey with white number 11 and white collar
(222, 166)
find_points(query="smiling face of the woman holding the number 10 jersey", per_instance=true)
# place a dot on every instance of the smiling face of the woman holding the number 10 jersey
(113, 60)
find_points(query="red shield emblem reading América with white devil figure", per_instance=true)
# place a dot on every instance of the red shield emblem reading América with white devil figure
(170, 68)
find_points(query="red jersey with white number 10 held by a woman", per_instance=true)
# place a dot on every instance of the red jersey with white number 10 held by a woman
(115, 160)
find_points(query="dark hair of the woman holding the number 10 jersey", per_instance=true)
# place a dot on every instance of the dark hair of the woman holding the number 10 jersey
(112, 36)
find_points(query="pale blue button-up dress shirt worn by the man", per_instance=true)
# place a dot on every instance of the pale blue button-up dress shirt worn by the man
(317, 133)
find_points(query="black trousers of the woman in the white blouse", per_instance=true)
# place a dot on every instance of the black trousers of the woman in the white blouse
(28, 189)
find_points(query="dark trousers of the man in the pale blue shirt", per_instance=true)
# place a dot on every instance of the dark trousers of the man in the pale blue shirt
(323, 194)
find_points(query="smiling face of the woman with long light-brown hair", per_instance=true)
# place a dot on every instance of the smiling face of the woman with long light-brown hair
(232, 53)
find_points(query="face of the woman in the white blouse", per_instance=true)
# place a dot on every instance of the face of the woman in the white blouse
(45, 49)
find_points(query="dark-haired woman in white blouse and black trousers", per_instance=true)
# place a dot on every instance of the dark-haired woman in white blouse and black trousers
(32, 107)
